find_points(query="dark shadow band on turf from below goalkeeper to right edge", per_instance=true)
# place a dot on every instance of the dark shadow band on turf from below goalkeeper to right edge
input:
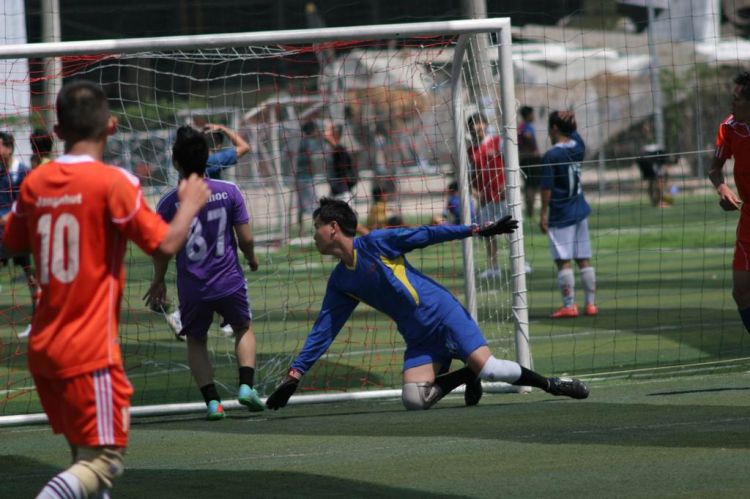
(552, 421)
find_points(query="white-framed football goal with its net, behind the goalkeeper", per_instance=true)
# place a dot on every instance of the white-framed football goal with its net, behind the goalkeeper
(393, 101)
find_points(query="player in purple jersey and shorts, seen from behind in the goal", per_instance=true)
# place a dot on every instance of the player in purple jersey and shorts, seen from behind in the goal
(209, 275)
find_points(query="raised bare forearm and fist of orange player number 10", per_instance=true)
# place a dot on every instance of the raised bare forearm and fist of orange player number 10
(193, 194)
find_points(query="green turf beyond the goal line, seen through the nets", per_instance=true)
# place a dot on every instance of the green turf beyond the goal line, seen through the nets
(664, 293)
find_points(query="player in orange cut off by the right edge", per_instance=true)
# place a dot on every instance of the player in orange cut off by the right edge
(734, 140)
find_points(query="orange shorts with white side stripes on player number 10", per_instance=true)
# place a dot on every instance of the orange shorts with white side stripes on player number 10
(92, 409)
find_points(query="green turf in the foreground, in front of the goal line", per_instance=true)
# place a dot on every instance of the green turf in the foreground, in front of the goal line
(663, 438)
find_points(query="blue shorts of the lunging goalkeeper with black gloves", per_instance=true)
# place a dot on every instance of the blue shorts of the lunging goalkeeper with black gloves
(456, 338)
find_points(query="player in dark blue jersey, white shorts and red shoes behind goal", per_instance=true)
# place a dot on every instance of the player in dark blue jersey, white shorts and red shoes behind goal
(565, 211)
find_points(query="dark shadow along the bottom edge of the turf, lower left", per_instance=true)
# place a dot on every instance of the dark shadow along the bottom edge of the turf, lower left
(22, 476)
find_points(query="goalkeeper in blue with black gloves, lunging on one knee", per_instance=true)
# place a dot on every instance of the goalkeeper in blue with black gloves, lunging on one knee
(436, 328)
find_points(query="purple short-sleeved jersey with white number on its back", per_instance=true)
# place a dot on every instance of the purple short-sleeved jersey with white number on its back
(207, 266)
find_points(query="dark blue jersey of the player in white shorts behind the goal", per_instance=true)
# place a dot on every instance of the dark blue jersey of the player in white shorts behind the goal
(562, 174)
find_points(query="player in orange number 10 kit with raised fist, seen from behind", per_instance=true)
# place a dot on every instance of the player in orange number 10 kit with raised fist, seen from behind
(76, 214)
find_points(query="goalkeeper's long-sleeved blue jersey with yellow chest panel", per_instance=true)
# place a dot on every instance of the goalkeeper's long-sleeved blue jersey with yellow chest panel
(382, 278)
